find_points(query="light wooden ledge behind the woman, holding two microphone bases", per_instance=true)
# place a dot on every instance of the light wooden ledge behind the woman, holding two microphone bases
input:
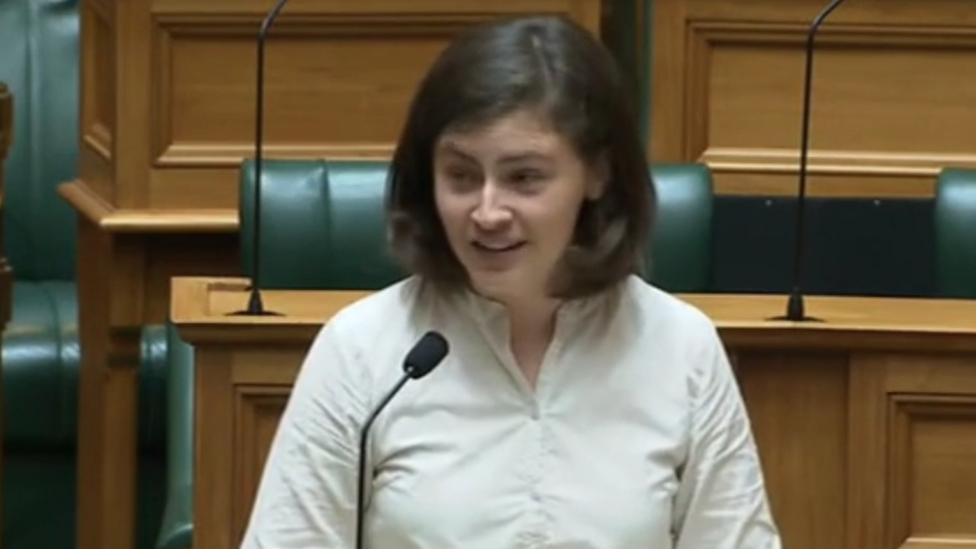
(204, 307)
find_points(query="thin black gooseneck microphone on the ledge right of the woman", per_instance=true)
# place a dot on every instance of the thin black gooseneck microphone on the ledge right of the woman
(795, 309)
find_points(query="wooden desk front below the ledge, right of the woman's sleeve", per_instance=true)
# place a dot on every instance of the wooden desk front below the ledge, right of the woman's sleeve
(866, 449)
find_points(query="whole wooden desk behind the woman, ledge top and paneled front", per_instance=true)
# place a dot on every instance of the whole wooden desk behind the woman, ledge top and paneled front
(866, 422)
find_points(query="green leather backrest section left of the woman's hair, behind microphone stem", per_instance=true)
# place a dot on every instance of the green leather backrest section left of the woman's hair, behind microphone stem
(322, 225)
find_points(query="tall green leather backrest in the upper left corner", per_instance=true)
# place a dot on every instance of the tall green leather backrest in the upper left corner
(39, 62)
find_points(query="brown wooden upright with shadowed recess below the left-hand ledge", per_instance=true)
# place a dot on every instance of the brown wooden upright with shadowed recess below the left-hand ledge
(123, 281)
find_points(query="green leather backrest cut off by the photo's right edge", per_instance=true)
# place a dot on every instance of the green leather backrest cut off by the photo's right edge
(955, 233)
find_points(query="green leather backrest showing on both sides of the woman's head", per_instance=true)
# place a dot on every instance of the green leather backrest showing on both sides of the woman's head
(323, 225)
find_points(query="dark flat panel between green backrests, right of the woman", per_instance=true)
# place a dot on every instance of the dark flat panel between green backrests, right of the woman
(853, 246)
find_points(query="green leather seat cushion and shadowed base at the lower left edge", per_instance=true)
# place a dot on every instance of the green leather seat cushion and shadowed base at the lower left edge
(40, 355)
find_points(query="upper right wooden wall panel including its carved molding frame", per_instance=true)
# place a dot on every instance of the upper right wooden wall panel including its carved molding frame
(853, 141)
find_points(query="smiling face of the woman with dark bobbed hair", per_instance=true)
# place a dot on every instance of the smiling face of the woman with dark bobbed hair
(508, 194)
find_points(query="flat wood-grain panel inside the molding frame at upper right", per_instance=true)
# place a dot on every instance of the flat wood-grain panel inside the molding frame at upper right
(869, 87)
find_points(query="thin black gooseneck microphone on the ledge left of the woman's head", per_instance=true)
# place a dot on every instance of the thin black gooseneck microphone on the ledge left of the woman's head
(255, 304)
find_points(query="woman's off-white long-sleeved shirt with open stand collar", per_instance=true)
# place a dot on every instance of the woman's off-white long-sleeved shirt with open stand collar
(635, 437)
